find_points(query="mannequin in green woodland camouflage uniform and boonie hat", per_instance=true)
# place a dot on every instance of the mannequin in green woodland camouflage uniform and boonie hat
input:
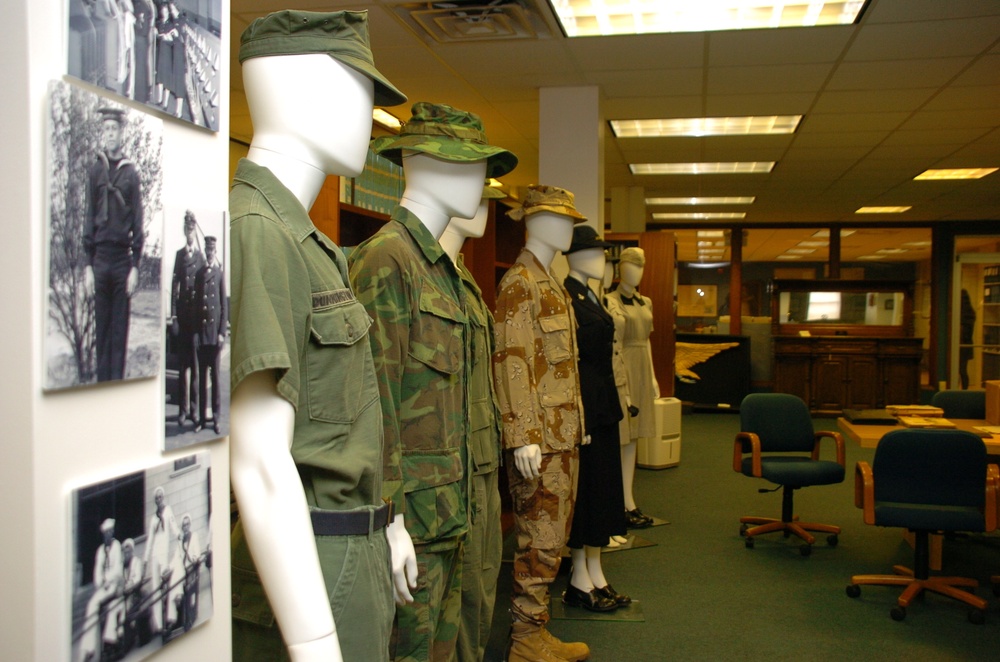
(420, 341)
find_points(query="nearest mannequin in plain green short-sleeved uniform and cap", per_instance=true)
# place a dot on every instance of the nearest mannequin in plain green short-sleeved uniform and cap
(312, 117)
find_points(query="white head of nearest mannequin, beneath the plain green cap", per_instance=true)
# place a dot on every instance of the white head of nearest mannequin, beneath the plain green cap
(312, 109)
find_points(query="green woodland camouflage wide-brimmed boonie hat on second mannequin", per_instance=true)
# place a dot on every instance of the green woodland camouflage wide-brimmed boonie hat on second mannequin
(447, 133)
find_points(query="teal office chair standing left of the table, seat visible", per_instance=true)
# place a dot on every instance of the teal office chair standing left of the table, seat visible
(777, 442)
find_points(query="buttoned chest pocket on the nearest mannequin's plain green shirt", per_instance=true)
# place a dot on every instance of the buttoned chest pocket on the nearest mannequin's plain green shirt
(341, 375)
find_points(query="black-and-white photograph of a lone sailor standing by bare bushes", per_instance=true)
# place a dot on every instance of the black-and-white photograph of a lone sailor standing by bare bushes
(105, 213)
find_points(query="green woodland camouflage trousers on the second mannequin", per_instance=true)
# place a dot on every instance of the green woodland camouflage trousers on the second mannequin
(426, 629)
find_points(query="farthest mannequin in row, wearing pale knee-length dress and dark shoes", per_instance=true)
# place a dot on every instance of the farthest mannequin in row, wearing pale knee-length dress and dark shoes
(643, 388)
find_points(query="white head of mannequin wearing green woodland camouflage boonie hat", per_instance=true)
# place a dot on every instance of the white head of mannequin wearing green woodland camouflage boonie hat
(438, 190)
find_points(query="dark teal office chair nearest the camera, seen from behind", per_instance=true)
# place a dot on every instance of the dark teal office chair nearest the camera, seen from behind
(927, 481)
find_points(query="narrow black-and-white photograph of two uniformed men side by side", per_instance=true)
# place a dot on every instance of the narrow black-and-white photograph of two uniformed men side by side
(196, 306)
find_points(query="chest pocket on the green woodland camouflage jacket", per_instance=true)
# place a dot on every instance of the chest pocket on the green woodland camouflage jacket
(436, 332)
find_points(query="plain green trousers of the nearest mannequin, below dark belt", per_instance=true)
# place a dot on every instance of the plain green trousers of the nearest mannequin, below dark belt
(357, 571)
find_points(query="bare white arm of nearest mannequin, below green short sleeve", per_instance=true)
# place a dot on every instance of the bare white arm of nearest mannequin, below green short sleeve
(275, 517)
